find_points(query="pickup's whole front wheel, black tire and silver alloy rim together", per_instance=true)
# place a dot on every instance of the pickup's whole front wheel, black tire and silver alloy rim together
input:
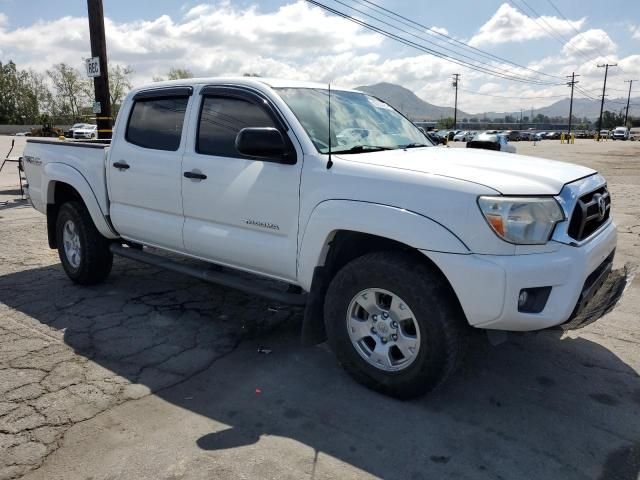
(393, 324)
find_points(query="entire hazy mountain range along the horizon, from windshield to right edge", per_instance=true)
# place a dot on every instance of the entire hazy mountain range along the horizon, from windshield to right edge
(415, 108)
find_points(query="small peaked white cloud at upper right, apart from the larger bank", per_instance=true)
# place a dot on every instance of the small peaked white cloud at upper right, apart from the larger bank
(510, 25)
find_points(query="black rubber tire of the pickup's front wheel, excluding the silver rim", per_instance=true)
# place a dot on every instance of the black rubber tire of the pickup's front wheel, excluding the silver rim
(438, 314)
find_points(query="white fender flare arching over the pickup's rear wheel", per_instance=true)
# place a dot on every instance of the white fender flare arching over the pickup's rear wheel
(59, 172)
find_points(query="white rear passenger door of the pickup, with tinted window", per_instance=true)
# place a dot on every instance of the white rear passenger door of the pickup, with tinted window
(145, 168)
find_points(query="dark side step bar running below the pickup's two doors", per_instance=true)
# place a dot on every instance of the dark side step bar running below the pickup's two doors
(220, 278)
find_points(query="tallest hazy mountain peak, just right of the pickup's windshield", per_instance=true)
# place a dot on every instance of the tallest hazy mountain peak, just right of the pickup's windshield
(408, 102)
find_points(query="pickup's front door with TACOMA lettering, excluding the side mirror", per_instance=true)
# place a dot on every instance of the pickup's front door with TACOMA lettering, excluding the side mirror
(245, 212)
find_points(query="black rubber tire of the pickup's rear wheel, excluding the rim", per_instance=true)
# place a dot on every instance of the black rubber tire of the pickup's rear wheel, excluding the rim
(95, 257)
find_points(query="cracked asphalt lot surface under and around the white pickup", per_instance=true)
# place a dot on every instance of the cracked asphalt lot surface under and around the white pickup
(156, 375)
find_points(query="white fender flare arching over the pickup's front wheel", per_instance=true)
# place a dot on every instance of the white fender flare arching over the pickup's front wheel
(394, 223)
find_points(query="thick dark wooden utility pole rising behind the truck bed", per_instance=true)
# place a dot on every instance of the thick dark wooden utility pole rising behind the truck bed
(101, 82)
